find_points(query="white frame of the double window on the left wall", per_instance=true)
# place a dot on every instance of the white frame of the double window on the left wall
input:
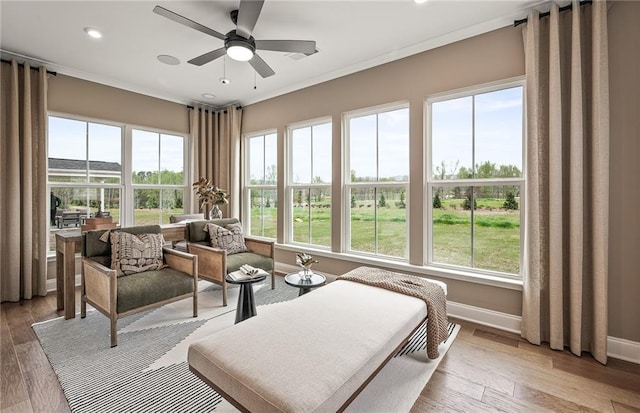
(125, 185)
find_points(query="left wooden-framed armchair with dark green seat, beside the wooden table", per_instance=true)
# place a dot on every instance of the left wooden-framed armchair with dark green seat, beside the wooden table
(145, 274)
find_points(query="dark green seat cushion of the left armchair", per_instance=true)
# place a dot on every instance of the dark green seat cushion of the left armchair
(150, 287)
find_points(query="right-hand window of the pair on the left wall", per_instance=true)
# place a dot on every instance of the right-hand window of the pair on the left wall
(157, 176)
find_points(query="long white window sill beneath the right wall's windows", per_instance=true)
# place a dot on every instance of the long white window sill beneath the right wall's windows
(428, 271)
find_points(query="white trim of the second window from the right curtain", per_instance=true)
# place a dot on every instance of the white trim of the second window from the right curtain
(347, 184)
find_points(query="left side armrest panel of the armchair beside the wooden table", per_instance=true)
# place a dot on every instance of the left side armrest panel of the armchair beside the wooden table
(100, 284)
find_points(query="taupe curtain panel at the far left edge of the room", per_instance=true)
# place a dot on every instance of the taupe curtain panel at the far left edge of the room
(23, 182)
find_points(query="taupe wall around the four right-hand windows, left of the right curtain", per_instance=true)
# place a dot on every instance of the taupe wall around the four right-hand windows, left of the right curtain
(493, 56)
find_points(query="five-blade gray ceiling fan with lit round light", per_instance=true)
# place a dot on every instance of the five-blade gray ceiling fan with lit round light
(239, 44)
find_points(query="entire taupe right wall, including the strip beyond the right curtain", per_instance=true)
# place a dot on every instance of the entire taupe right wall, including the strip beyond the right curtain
(486, 58)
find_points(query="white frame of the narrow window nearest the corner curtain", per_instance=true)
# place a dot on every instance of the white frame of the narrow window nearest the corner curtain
(247, 186)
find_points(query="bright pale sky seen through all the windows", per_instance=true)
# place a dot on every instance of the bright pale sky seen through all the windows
(498, 139)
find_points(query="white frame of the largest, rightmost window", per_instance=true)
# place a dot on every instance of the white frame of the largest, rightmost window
(430, 183)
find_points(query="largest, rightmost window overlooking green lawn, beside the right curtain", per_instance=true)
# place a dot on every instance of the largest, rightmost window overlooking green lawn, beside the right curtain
(476, 180)
